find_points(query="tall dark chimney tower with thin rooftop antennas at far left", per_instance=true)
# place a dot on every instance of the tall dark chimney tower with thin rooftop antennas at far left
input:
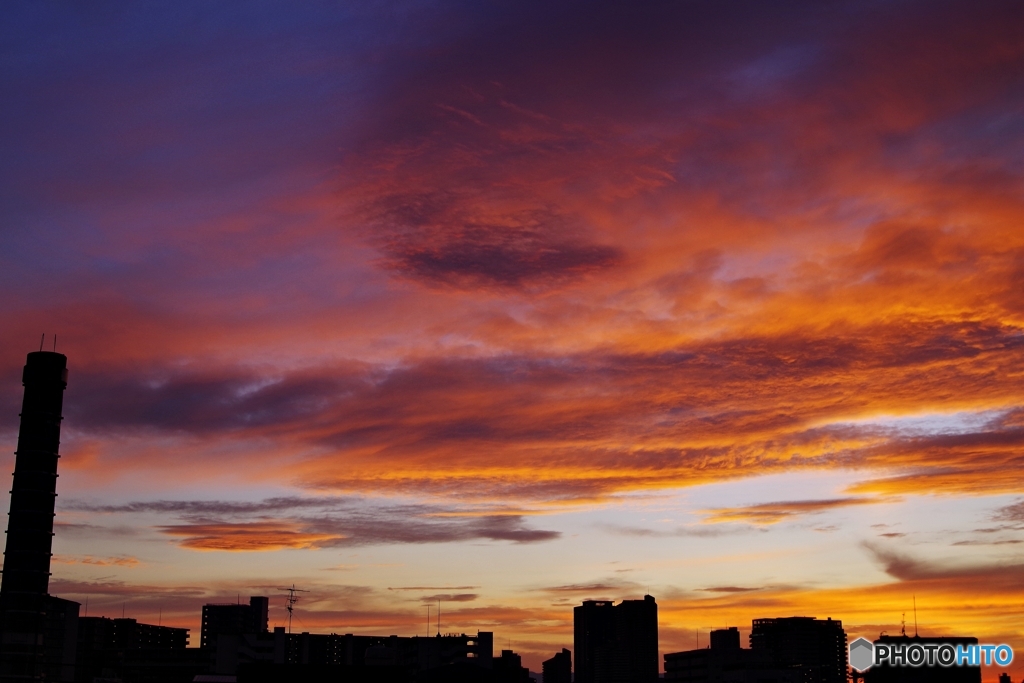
(30, 527)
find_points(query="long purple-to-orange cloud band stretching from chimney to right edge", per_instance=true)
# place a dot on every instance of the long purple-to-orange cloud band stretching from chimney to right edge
(587, 425)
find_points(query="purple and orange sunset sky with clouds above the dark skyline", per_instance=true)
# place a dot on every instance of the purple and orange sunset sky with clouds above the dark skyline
(516, 305)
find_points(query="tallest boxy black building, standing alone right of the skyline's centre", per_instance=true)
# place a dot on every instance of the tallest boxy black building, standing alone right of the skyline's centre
(616, 644)
